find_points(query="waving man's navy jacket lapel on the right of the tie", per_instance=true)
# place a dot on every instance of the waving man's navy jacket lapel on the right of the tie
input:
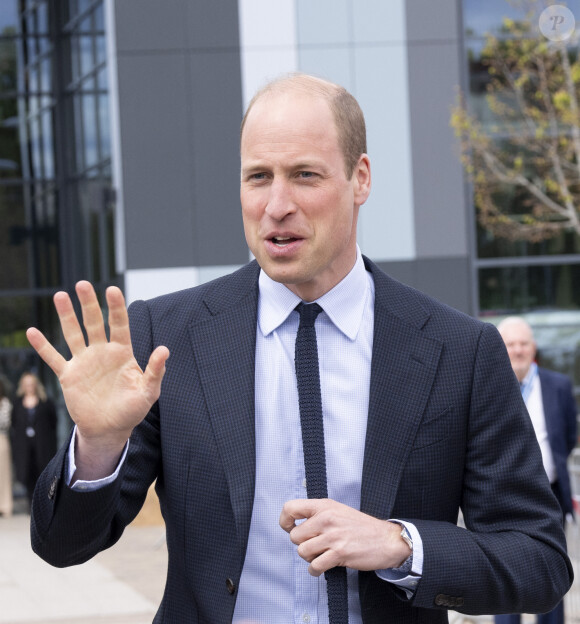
(404, 364)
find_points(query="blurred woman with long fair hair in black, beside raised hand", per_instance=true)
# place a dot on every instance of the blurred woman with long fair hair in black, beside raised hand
(33, 431)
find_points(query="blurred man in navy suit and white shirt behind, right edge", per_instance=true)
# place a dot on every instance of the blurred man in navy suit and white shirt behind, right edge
(550, 402)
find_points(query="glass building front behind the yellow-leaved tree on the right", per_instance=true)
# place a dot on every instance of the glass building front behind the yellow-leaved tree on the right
(539, 280)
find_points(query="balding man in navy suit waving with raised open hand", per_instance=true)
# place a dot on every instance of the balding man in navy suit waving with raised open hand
(420, 416)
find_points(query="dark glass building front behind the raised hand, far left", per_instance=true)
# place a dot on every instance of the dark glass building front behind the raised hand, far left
(56, 200)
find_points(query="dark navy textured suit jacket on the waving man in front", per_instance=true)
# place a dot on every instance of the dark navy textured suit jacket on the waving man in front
(447, 429)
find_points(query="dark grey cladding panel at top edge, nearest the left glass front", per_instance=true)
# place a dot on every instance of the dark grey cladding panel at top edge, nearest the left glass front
(151, 24)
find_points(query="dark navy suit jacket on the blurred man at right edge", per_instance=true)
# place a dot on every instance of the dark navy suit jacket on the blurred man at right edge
(560, 414)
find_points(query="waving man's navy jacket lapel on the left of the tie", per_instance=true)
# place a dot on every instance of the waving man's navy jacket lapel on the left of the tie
(224, 349)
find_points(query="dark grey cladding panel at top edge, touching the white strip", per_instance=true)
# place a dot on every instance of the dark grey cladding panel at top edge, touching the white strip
(212, 24)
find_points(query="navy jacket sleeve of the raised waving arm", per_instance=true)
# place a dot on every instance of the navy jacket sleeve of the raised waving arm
(69, 527)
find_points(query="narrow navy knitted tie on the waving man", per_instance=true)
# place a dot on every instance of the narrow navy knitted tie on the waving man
(310, 403)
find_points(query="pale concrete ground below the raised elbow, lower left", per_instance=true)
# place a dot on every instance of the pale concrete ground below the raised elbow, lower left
(122, 585)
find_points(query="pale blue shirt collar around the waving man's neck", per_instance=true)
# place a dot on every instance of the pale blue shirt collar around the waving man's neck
(344, 304)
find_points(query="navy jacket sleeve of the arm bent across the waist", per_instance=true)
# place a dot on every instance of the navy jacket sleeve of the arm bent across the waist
(511, 557)
